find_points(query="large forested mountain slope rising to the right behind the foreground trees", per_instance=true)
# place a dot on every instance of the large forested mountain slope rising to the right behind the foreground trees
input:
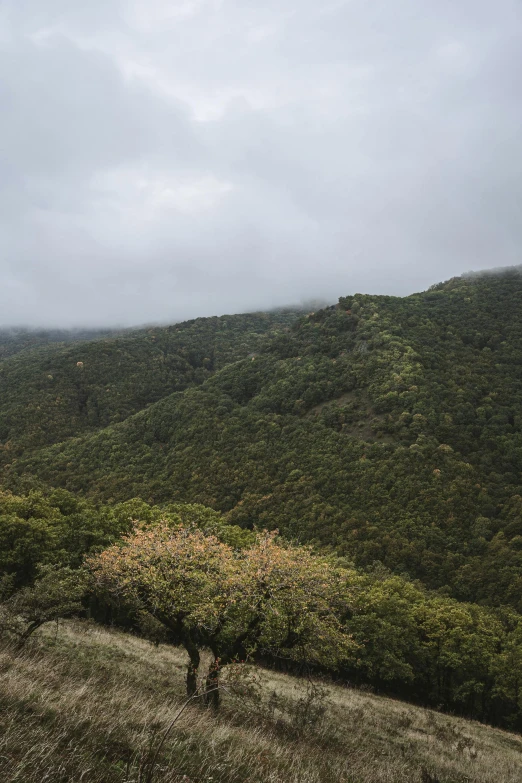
(387, 428)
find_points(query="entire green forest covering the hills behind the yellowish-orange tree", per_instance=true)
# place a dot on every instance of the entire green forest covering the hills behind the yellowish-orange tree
(382, 430)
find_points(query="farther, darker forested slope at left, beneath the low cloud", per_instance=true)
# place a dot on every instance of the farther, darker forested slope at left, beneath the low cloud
(55, 391)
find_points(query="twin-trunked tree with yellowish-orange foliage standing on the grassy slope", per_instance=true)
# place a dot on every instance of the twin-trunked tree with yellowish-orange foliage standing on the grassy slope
(268, 599)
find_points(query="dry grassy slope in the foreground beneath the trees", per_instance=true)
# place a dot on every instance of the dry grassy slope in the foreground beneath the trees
(89, 704)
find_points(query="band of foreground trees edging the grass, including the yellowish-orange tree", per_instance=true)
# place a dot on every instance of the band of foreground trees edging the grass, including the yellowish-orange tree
(252, 595)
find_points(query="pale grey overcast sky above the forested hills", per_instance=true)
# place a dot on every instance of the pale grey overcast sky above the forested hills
(164, 159)
